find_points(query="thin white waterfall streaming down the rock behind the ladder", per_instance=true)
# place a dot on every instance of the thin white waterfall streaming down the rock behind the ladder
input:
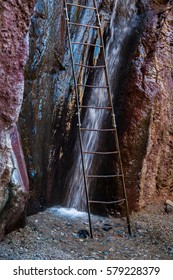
(121, 25)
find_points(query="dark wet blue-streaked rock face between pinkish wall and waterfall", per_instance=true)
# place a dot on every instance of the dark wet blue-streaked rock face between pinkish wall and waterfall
(48, 118)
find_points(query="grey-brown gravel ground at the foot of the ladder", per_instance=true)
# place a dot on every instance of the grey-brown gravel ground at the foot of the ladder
(53, 235)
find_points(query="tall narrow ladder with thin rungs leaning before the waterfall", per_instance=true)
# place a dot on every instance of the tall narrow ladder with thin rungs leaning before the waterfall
(106, 87)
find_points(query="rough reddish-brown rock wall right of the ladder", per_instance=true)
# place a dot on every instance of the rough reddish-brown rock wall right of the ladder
(147, 139)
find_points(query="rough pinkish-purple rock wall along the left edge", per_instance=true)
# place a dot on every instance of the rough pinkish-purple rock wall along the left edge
(15, 16)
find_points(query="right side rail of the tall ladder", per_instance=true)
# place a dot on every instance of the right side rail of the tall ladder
(113, 119)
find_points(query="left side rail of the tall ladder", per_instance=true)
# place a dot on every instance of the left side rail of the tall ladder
(79, 123)
